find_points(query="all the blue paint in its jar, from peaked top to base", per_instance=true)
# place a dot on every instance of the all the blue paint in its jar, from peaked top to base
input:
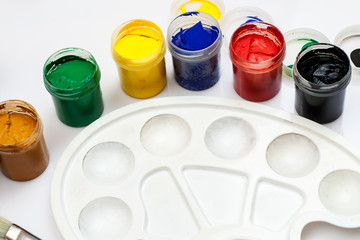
(191, 71)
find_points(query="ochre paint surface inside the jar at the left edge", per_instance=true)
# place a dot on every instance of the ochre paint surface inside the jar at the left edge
(15, 128)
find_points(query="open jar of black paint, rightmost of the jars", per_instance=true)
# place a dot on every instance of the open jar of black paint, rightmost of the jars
(321, 74)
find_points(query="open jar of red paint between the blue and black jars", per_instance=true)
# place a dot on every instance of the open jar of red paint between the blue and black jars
(257, 50)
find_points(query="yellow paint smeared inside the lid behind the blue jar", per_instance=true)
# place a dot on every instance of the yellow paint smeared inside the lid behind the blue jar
(201, 6)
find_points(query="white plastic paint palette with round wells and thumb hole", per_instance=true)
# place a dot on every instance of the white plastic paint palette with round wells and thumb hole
(206, 169)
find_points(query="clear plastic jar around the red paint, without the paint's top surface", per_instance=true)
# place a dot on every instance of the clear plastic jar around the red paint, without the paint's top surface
(258, 80)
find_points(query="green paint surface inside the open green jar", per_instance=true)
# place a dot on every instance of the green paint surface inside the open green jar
(71, 74)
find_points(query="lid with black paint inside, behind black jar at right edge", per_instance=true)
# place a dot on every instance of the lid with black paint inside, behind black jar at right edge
(349, 40)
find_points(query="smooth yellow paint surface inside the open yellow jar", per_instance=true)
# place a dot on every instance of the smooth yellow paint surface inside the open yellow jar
(137, 46)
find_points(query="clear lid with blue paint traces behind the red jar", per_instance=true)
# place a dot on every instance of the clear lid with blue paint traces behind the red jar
(239, 16)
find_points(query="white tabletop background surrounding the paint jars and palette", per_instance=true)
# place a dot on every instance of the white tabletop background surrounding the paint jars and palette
(31, 30)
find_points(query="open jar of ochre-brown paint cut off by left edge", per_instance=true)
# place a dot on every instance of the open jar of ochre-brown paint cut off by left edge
(23, 152)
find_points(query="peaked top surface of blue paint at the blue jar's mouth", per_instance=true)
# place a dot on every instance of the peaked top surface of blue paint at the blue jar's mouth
(195, 38)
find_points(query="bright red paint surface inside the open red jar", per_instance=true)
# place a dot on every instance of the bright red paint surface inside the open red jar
(256, 48)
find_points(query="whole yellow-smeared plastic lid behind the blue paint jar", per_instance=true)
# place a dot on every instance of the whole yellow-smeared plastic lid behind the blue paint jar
(215, 8)
